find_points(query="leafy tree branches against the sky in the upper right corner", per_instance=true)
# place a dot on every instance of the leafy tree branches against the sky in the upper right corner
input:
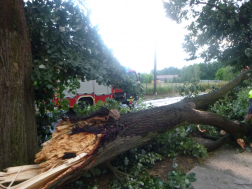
(221, 28)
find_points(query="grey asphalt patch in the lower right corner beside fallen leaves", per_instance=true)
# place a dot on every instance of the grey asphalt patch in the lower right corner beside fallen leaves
(226, 169)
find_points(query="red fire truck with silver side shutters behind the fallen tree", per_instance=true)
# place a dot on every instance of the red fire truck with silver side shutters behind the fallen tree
(90, 92)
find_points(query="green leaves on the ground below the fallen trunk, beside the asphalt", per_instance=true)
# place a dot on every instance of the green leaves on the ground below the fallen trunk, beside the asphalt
(171, 143)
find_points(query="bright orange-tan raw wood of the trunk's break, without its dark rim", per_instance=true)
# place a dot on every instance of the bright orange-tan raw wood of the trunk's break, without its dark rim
(63, 142)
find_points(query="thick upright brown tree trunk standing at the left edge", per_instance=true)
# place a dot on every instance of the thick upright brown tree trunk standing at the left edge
(18, 136)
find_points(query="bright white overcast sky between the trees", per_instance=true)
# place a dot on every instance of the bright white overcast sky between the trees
(133, 28)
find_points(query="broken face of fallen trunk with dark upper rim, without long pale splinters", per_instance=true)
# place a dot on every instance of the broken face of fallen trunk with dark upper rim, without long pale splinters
(75, 137)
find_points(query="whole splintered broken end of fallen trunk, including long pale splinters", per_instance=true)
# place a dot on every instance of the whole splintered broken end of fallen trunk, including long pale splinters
(74, 141)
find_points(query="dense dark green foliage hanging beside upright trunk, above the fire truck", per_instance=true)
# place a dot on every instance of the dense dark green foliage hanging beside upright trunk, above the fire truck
(65, 46)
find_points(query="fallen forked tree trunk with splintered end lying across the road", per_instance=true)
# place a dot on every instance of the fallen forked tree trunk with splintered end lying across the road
(112, 137)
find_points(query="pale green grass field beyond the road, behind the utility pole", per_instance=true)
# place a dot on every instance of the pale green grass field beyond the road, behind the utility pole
(170, 88)
